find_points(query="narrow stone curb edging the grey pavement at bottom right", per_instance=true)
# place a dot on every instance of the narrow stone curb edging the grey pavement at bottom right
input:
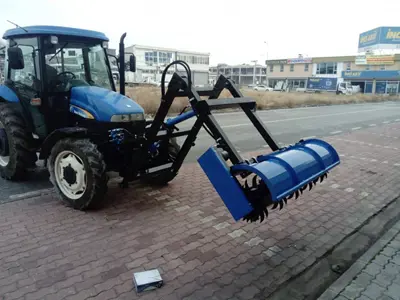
(340, 284)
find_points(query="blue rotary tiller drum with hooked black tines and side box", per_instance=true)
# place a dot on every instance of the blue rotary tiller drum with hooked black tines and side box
(269, 180)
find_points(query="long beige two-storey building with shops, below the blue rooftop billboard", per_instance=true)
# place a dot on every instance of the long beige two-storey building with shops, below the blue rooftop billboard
(371, 73)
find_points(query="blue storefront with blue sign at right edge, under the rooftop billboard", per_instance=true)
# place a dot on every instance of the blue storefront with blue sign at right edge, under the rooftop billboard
(375, 82)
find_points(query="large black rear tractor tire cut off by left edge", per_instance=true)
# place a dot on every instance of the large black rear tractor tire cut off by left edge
(16, 145)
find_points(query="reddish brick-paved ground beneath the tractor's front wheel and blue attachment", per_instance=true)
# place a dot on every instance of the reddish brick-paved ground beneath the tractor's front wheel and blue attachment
(50, 251)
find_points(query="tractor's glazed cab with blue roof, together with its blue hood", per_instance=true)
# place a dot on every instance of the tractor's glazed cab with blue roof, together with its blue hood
(59, 71)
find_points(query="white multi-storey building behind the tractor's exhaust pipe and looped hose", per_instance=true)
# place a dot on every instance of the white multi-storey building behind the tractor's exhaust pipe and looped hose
(151, 61)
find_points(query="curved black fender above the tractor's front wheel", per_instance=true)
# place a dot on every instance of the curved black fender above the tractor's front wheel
(58, 134)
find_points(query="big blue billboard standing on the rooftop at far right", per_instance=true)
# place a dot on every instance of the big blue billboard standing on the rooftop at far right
(379, 38)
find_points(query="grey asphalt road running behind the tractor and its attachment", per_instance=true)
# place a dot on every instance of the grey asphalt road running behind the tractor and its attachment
(286, 125)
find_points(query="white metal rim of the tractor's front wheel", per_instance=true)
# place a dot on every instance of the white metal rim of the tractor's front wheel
(70, 174)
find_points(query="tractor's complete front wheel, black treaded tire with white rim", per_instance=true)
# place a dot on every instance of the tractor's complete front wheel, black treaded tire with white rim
(78, 172)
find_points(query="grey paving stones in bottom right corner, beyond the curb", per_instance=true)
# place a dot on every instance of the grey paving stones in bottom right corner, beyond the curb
(374, 278)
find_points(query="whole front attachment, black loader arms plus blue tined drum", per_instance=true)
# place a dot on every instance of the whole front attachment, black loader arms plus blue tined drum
(248, 187)
